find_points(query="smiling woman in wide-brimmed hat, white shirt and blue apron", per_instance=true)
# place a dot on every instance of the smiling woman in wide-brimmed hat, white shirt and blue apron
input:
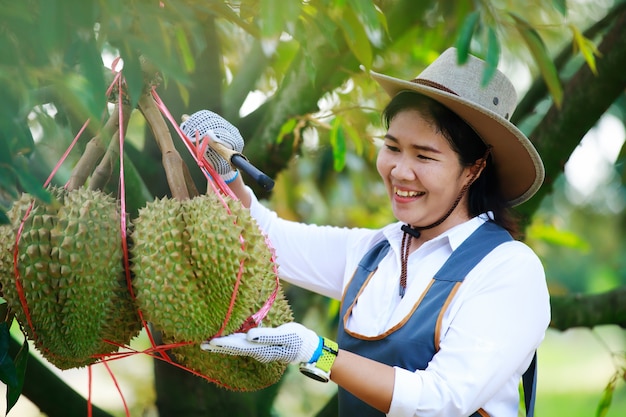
(442, 311)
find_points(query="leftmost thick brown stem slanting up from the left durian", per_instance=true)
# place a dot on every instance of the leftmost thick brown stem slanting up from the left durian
(93, 152)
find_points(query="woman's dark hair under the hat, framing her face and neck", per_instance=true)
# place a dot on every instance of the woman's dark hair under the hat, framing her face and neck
(484, 194)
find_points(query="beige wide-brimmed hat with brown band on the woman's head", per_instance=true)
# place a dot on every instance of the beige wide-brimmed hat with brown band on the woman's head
(487, 110)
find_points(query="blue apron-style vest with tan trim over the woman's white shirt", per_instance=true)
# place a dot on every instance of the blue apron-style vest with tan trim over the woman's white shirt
(420, 333)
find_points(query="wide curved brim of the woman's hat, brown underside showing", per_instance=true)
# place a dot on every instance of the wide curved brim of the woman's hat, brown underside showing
(518, 165)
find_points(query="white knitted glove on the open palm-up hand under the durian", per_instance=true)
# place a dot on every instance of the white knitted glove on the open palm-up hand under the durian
(290, 342)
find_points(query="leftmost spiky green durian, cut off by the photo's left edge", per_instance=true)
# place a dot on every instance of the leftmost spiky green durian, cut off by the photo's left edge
(70, 266)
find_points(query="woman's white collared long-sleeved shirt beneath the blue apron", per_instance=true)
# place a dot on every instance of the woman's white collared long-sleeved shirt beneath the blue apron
(490, 330)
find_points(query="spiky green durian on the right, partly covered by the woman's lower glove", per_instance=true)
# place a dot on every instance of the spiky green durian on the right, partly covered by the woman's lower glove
(186, 259)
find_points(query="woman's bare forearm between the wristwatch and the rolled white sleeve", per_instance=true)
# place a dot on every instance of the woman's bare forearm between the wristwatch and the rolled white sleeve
(368, 380)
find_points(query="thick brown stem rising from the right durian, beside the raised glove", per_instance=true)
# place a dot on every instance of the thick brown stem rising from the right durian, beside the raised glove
(176, 171)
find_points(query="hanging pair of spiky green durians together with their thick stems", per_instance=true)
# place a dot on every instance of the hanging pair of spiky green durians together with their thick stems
(198, 267)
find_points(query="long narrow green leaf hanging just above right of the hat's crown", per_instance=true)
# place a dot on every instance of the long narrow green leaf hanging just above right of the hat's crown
(538, 49)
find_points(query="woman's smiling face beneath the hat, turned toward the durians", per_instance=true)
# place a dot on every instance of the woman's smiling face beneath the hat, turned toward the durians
(422, 173)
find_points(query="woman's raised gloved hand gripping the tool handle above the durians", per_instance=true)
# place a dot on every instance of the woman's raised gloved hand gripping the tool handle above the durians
(205, 121)
